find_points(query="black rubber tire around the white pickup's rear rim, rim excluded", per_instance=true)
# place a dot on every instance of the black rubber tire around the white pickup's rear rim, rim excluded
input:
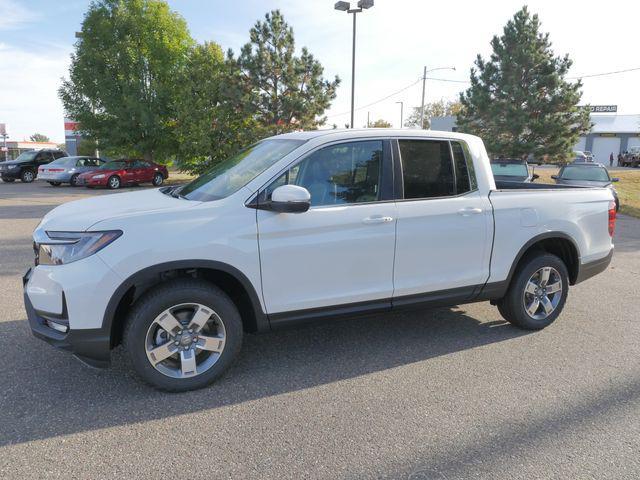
(514, 304)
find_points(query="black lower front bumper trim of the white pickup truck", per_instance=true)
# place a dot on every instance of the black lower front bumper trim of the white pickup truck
(92, 346)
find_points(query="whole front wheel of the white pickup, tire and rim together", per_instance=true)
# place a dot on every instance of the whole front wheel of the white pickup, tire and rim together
(143, 334)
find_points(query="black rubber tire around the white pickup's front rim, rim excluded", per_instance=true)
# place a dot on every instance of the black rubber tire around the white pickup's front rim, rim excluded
(166, 296)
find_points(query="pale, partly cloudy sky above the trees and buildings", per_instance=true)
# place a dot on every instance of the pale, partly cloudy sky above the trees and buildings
(395, 40)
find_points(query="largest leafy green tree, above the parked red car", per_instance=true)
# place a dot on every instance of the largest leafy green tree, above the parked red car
(123, 75)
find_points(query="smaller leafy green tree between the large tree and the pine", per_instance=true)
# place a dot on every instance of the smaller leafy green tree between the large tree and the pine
(213, 118)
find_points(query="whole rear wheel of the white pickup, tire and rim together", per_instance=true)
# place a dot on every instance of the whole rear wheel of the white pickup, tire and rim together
(546, 306)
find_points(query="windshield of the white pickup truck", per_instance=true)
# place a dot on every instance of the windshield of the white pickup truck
(234, 173)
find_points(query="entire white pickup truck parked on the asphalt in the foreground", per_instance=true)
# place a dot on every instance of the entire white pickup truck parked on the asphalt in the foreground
(303, 226)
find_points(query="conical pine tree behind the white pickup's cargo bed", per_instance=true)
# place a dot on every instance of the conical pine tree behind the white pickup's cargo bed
(519, 101)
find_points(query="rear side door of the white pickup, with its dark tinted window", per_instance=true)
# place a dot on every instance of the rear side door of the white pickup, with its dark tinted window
(444, 223)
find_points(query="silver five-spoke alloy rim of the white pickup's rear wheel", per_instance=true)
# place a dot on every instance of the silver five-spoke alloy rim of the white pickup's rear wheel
(542, 293)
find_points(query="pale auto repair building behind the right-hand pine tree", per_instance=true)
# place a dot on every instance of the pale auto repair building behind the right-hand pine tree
(609, 134)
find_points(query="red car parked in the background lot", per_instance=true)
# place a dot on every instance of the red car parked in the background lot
(124, 172)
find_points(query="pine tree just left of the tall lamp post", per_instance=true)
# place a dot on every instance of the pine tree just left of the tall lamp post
(289, 91)
